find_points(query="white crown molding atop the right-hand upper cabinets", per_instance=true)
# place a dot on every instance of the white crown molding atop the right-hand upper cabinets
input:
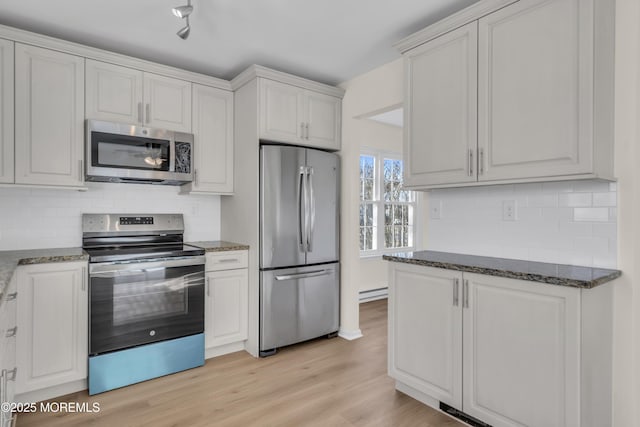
(458, 19)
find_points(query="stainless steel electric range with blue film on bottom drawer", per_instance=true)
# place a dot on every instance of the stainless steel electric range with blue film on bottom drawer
(146, 298)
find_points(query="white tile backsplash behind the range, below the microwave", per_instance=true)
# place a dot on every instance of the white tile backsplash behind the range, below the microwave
(43, 218)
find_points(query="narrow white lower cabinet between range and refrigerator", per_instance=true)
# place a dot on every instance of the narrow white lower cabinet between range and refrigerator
(227, 301)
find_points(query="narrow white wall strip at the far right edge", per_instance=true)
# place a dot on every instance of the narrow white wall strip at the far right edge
(626, 328)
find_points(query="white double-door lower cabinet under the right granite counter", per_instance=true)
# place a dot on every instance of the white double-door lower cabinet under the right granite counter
(507, 352)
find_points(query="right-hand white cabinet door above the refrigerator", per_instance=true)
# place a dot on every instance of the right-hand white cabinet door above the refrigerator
(323, 117)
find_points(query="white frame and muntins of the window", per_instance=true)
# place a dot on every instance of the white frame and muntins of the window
(379, 202)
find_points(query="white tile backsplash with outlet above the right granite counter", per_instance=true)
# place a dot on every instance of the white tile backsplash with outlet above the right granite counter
(571, 222)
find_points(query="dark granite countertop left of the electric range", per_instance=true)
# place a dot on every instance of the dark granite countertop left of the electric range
(9, 260)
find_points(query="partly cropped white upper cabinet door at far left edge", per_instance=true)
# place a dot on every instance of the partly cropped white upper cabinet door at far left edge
(6, 111)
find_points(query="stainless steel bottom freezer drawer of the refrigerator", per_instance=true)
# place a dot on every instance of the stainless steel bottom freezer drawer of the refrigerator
(298, 304)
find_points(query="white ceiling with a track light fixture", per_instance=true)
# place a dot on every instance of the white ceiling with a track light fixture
(326, 40)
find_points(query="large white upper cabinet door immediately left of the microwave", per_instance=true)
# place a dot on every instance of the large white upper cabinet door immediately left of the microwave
(49, 117)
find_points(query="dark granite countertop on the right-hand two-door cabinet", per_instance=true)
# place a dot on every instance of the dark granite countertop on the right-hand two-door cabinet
(555, 274)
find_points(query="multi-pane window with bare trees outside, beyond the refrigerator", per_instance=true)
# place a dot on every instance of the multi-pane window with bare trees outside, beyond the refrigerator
(386, 210)
